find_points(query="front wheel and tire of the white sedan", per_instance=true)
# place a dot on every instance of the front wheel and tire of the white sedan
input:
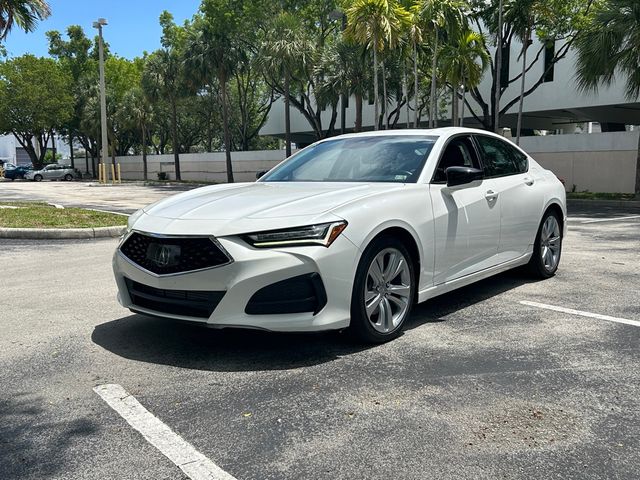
(385, 320)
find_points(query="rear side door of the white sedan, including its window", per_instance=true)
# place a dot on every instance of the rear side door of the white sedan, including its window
(519, 200)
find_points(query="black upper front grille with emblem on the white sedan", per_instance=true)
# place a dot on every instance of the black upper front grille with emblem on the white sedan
(167, 255)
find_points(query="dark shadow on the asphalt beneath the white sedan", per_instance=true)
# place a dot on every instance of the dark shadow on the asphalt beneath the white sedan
(175, 343)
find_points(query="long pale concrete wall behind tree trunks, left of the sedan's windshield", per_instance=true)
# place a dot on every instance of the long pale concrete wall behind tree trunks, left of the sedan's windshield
(206, 167)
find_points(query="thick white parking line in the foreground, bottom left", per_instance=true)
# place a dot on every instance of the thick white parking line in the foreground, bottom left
(194, 464)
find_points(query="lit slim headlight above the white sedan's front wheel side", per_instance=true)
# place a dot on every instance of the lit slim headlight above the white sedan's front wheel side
(320, 234)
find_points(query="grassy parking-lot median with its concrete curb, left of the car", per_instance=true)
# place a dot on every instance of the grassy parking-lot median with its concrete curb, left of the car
(39, 220)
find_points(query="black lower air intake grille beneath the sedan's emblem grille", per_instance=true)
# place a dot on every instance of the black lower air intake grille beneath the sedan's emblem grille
(189, 303)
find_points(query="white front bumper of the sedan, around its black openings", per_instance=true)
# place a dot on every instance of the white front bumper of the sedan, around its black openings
(252, 270)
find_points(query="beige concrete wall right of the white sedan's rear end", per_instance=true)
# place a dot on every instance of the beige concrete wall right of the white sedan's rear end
(597, 162)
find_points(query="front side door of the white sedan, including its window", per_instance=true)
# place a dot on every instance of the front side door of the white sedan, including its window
(466, 220)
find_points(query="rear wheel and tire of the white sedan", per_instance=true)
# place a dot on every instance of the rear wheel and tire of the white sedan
(547, 248)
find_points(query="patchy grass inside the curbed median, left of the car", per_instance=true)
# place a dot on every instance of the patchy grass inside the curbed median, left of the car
(42, 215)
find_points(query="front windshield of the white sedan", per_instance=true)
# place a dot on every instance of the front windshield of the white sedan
(358, 159)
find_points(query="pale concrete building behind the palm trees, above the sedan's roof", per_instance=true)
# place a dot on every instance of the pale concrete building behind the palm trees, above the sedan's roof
(555, 106)
